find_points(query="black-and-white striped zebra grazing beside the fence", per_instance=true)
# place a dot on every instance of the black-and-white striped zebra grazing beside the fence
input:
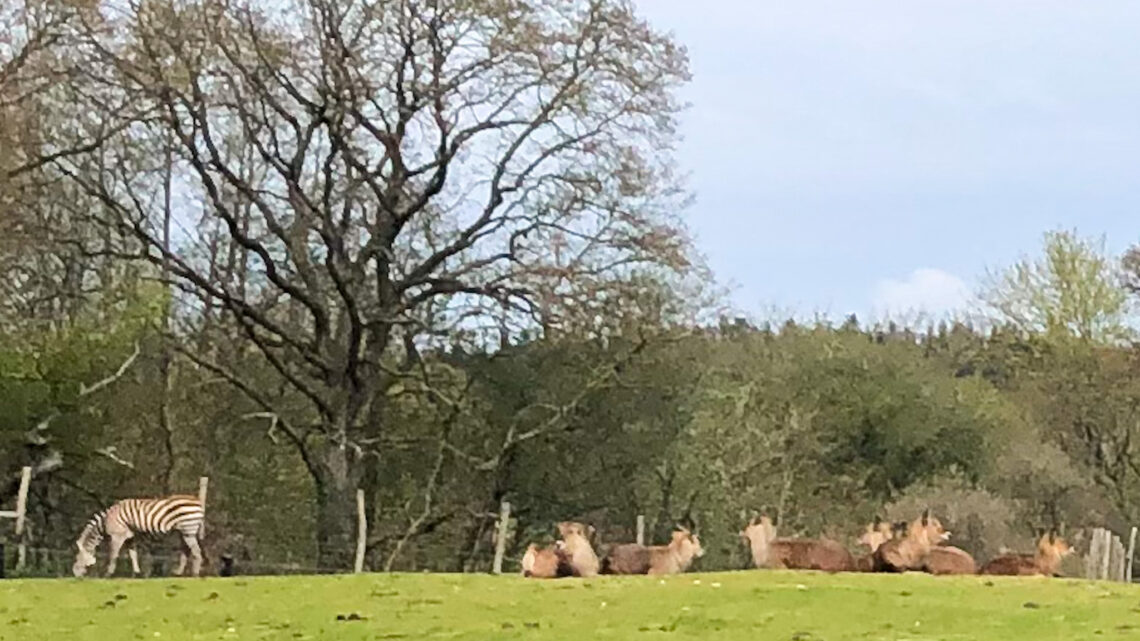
(129, 518)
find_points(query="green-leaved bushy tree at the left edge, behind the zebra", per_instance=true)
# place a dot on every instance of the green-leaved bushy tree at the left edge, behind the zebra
(72, 413)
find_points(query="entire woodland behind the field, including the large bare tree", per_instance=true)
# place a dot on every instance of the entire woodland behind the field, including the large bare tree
(434, 250)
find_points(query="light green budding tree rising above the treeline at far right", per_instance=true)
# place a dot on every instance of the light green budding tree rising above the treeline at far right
(1077, 393)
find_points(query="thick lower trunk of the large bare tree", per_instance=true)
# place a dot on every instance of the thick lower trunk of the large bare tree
(338, 478)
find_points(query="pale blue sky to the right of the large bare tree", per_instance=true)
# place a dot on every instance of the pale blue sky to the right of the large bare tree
(872, 156)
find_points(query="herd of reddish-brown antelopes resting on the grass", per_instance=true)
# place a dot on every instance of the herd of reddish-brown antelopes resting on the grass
(919, 546)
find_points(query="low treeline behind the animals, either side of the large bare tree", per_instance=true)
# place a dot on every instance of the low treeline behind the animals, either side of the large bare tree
(827, 427)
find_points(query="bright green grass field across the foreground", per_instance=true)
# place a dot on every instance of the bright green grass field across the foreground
(758, 606)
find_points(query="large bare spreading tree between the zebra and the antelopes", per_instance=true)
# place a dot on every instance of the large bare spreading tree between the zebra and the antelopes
(424, 166)
